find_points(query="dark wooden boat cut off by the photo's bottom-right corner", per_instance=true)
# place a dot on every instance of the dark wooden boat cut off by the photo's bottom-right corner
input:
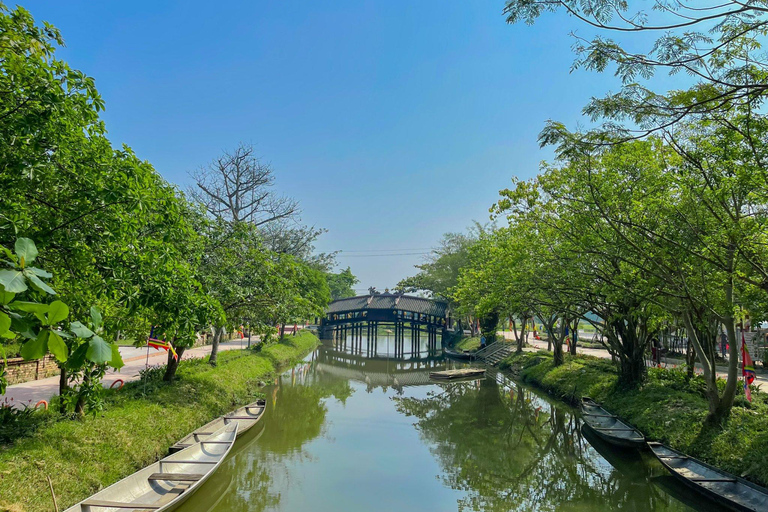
(728, 490)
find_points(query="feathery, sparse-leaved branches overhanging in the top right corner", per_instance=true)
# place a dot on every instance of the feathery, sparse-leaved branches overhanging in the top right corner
(718, 46)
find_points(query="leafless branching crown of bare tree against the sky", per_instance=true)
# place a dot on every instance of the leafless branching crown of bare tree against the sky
(237, 187)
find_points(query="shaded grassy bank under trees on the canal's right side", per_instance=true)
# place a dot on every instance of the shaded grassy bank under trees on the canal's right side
(667, 408)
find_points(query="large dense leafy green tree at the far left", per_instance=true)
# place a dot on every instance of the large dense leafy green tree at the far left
(112, 231)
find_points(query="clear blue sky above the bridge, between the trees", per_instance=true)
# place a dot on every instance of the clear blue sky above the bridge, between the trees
(391, 122)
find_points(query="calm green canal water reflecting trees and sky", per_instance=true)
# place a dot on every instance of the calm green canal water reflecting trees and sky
(346, 431)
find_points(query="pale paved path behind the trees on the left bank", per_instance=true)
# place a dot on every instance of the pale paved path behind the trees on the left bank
(134, 358)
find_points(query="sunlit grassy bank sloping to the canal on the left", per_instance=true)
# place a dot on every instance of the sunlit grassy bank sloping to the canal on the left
(83, 456)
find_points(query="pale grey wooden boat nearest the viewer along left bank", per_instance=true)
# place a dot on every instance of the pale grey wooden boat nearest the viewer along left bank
(166, 484)
